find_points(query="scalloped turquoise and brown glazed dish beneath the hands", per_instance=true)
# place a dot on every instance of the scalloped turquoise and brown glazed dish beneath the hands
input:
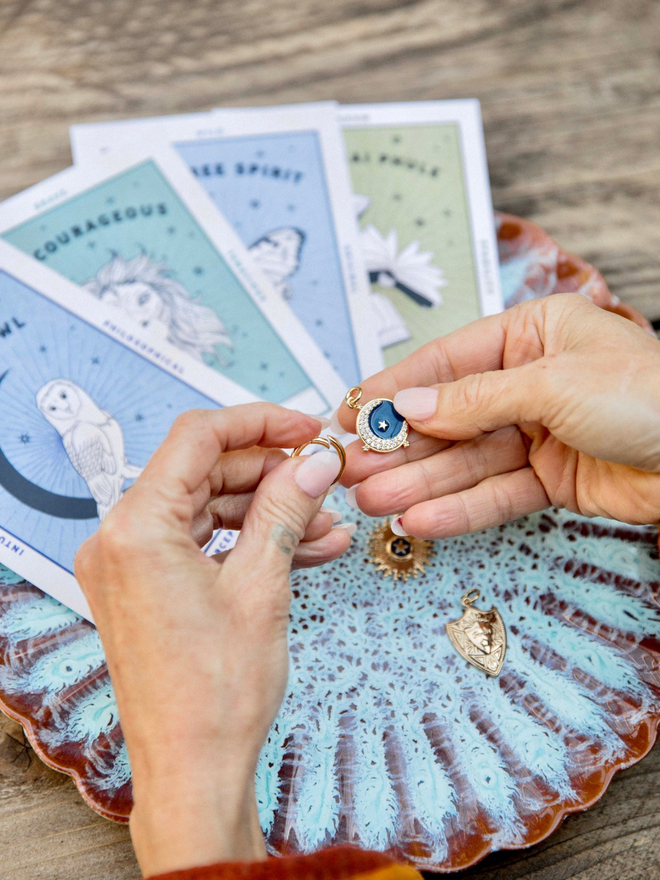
(388, 739)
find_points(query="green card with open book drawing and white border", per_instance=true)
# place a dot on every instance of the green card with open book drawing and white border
(426, 217)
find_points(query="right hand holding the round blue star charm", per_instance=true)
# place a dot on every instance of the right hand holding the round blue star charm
(553, 402)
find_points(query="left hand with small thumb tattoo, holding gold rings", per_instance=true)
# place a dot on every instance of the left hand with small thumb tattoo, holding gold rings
(197, 646)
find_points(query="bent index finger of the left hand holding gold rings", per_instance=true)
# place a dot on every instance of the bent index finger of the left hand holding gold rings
(198, 438)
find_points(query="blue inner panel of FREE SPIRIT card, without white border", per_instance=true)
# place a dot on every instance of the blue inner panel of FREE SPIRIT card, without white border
(272, 189)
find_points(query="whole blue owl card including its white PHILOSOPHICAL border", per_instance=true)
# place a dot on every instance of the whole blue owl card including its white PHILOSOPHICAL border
(85, 401)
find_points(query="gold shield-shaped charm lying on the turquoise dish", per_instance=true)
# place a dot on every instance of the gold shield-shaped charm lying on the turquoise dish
(479, 636)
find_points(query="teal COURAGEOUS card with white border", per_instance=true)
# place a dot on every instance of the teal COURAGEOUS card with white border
(142, 235)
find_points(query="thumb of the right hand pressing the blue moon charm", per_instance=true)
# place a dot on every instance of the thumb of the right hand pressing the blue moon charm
(475, 404)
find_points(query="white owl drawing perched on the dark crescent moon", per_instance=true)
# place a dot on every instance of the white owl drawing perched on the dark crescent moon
(92, 438)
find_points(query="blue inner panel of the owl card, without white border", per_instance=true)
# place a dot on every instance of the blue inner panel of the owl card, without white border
(68, 391)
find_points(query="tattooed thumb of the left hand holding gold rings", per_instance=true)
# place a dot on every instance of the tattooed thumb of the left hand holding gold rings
(285, 502)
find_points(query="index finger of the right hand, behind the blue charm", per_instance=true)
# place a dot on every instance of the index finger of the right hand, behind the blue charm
(475, 348)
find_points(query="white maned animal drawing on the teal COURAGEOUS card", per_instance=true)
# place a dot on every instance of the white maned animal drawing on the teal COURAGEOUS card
(143, 290)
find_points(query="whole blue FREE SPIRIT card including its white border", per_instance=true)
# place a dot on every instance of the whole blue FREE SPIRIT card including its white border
(280, 177)
